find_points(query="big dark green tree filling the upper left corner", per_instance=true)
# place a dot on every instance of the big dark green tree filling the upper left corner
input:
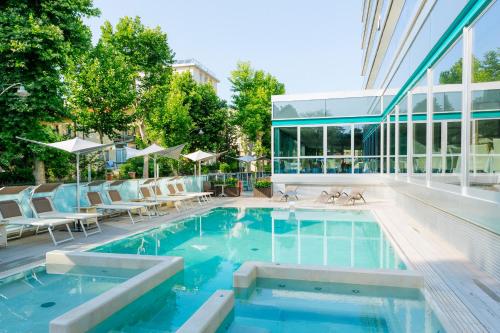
(37, 38)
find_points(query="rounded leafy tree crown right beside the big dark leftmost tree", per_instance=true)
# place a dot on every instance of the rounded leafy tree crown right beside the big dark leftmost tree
(102, 90)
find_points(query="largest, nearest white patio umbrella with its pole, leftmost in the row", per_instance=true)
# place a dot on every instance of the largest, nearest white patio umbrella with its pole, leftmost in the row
(76, 146)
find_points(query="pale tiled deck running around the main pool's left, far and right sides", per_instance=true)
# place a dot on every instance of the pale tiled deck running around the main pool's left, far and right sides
(466, 299)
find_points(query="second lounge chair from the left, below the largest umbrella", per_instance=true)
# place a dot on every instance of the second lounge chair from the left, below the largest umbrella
(43, 207)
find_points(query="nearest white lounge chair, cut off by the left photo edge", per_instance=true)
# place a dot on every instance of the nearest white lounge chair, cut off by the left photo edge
(11, 214)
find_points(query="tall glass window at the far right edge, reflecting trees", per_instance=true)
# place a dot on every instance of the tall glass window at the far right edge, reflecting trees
(485, 133)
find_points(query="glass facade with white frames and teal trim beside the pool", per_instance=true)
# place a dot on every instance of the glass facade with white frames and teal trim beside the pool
(443, 128)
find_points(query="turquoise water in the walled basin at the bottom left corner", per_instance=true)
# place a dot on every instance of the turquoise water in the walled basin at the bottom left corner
(31, 299)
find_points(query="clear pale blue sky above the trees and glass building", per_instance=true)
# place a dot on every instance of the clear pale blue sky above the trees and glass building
(309, 45)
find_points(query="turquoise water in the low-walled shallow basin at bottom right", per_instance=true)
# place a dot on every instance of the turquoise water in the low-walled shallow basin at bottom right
(296, 306)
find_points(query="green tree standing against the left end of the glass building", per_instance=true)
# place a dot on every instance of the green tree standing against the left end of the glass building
(252, 91)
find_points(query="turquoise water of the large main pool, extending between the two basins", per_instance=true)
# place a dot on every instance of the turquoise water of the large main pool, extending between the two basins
(215, 244)
